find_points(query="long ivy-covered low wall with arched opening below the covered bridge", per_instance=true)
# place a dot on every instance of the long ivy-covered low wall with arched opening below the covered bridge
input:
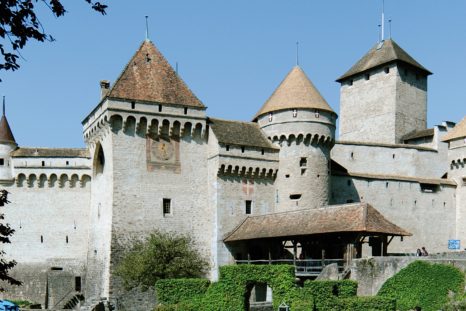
(232, 291)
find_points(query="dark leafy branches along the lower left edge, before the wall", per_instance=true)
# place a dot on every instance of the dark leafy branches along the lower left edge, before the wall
(5, 233)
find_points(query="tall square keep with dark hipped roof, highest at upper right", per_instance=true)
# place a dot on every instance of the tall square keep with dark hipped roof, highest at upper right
(383, 96)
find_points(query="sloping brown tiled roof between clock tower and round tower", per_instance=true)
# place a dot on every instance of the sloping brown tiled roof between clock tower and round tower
(240, 133)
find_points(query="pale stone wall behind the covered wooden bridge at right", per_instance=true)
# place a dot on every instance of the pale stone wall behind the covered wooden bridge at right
(429, 216)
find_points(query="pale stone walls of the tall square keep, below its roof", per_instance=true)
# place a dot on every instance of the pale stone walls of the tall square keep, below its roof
(380, 106)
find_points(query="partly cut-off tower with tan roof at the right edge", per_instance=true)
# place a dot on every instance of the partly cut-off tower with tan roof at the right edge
(456, 139)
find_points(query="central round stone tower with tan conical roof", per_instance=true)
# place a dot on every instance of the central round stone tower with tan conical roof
(299, 120)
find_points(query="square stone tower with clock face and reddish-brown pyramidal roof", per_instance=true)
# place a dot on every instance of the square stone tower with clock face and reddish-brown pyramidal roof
(146, 137)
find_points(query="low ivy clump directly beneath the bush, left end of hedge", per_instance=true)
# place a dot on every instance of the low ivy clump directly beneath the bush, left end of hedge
(173, 291)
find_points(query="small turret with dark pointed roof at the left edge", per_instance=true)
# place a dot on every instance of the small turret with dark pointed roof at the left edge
(7, 145)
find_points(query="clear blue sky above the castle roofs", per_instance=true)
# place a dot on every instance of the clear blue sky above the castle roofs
(232, 54)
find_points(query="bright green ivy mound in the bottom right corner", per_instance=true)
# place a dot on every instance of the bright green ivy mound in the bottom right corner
(424, 285)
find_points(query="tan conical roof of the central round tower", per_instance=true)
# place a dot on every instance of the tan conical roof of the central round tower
(295, 91)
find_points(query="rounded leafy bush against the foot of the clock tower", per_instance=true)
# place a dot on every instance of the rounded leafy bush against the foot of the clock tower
(160, 256)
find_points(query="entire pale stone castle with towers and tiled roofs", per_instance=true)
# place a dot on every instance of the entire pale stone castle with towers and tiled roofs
(155, 160)
